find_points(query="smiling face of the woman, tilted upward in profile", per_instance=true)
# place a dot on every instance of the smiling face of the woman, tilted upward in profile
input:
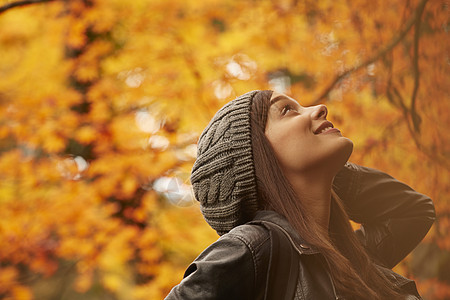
(302, 137)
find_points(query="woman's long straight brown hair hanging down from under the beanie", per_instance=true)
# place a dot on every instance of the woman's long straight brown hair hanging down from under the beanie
(352, 270)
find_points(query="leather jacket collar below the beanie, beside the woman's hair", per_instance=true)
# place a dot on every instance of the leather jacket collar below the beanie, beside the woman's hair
(272, 218)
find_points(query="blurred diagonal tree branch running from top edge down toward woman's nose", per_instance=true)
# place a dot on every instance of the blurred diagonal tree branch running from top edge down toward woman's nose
(394, 42)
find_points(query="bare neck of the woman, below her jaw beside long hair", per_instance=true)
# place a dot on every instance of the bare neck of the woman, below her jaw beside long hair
(315, 193)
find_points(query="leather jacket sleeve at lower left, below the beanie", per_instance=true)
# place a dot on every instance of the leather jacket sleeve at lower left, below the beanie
(225, 270)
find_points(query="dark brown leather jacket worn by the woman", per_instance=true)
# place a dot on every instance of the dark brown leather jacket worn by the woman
(256, 261)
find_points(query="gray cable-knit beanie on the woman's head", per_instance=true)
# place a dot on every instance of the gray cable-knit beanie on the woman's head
(223, 176)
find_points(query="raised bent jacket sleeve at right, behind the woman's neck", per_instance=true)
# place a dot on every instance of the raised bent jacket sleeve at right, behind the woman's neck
(394, 218)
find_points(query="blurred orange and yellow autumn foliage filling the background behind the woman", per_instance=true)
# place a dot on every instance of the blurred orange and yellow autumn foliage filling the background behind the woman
(101, 104)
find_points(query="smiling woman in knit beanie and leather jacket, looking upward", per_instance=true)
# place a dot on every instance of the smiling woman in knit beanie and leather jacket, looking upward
(273, 180)
